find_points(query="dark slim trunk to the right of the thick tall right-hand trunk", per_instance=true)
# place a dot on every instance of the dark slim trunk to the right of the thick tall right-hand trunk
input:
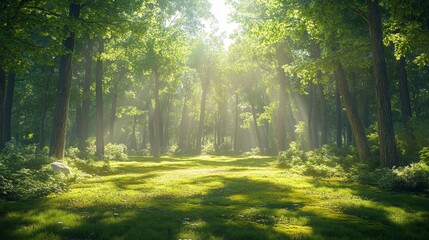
(404, 92)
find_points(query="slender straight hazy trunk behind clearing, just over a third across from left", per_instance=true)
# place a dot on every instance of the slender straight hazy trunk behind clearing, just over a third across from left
(156, 150)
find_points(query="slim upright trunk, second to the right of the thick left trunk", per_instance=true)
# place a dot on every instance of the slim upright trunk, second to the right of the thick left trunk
(99, 136)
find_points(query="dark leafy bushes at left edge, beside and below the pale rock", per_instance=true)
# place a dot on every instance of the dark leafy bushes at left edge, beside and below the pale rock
(25, 173)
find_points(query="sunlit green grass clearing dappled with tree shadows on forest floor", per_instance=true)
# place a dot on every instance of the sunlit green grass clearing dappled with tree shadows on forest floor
(215, 198)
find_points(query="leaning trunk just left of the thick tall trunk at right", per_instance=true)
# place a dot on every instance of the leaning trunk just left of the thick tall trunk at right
(352, 113)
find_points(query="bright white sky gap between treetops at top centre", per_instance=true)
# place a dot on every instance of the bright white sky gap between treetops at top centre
(221, 11)
